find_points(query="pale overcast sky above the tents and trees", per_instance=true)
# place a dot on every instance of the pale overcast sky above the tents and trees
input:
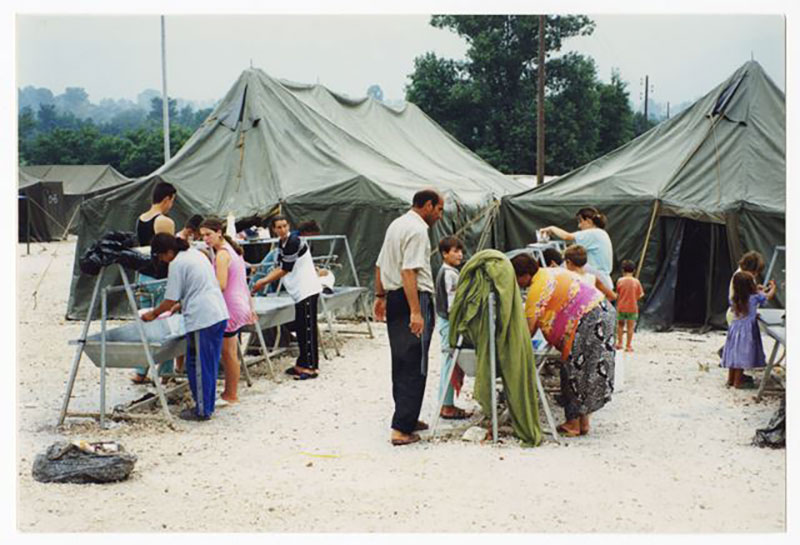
(119, 56)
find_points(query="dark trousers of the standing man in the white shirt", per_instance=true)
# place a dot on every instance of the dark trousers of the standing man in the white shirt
(409, 357)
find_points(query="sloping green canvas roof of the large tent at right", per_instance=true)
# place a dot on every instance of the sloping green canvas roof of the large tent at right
(724, 152)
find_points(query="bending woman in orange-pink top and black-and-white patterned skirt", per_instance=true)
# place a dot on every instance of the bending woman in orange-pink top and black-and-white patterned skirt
(577, 320)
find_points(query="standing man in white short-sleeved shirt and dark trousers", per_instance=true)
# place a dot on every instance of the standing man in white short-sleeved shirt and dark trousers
(404, 298)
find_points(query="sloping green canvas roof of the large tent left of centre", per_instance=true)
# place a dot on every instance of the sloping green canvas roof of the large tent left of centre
(270, 141)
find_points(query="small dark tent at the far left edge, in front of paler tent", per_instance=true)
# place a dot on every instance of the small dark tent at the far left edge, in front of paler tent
(42, 212)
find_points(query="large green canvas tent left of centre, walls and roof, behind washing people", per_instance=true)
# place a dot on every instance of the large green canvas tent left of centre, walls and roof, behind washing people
(352, 165)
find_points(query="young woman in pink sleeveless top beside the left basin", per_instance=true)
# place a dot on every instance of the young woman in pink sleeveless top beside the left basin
(232, 276)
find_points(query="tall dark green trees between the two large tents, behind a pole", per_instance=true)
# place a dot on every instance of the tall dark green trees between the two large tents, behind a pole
(488, 101)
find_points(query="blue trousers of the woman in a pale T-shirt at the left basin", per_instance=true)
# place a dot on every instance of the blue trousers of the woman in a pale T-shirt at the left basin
(203, 377)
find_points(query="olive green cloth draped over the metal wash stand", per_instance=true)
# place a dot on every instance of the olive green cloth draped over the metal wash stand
(469, 316)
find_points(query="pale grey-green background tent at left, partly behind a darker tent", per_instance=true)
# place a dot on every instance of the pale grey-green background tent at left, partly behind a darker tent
(78, 183)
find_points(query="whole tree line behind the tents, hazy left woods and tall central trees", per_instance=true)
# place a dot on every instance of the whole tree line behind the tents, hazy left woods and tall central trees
(487, 102)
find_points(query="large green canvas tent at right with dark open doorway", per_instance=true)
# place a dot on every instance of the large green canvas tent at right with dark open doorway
(684, 200)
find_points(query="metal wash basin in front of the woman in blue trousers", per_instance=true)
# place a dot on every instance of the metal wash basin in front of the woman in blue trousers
(166, 338)
